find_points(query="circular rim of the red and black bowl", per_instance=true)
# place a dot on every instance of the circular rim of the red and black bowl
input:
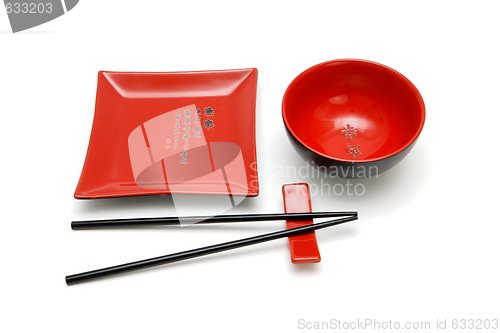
(403, 78)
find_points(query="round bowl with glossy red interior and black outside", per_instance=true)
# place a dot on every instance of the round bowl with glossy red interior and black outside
(357, 115)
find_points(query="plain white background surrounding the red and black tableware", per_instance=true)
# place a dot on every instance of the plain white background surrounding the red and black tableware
(426, 245)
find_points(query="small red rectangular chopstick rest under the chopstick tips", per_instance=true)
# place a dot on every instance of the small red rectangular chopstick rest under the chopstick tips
(303, 248)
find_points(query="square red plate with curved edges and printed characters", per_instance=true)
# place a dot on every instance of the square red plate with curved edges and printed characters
(172, 133)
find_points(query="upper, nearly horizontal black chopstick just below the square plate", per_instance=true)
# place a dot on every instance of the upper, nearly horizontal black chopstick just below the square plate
(177, 220)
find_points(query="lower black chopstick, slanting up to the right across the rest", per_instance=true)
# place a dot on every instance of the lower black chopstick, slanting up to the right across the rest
(170, 258)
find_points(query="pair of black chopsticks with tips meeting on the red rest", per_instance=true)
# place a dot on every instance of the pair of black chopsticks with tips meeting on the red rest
(194, 253)
